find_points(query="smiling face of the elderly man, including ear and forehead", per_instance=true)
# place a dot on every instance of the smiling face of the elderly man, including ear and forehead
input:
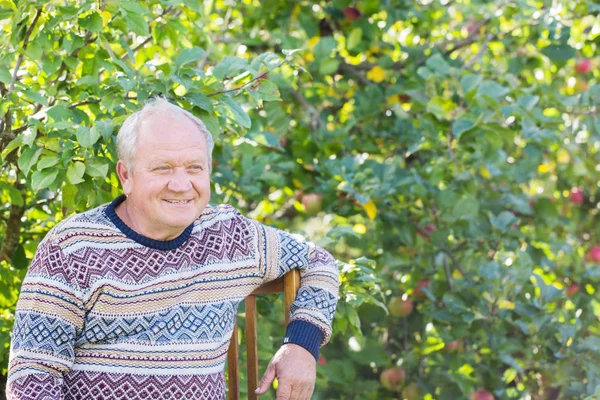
(168, 185)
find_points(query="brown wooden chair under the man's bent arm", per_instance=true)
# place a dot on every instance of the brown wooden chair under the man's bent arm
(289, 285)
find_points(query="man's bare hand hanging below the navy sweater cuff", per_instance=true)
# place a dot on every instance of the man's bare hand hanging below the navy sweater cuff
(296, 373)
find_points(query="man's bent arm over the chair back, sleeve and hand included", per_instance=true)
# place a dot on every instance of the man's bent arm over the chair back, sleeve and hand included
(311, 313)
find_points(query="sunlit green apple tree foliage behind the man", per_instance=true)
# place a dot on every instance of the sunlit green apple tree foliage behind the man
(444, 138)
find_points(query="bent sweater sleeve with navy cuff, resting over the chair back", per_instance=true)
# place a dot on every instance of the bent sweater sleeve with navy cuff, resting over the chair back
(313, 310)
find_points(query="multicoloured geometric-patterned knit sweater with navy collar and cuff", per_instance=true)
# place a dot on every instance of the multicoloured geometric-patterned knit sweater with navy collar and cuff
(106, 313)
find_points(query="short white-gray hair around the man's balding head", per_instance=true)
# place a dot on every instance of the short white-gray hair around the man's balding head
(127, 136)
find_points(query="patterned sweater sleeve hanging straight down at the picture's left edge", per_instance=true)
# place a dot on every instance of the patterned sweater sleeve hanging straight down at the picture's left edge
(48, 318)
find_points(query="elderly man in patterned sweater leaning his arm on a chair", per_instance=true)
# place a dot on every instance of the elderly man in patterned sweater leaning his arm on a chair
(137, 299)
